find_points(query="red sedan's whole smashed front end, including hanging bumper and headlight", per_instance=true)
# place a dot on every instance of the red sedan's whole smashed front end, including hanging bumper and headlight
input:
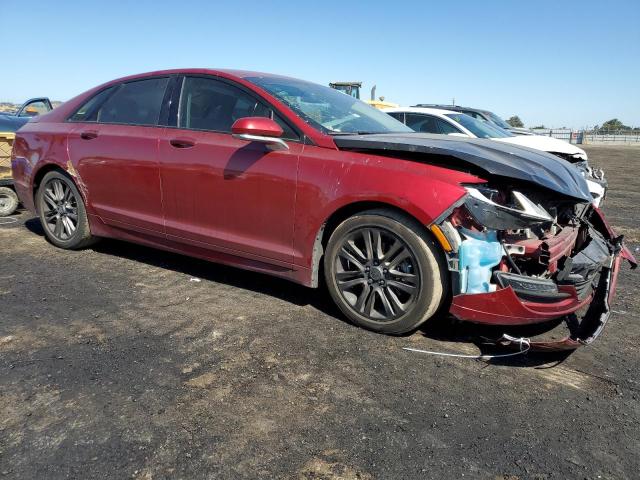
(518, 257)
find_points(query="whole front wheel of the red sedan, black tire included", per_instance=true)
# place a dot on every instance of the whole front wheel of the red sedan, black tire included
(405, 307)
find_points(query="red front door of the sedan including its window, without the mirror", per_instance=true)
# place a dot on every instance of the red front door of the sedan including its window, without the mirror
(222, 192)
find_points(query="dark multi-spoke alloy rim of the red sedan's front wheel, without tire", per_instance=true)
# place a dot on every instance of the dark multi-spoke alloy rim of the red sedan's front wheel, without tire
(377, 274)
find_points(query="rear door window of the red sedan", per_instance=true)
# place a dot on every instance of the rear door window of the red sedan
(135, 103)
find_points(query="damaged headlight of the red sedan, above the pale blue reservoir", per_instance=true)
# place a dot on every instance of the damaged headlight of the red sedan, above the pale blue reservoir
(482, 204)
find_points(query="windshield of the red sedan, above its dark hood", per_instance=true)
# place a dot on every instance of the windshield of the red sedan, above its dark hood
(329, 110)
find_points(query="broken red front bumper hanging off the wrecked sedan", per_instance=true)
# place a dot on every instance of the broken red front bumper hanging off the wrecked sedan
(505, 307)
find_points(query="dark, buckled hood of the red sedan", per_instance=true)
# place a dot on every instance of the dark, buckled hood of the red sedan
(495, 158)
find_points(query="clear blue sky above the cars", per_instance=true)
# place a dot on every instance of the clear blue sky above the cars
(569, 63)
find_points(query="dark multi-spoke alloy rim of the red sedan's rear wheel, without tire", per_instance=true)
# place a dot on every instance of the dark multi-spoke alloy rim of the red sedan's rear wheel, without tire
(60, 209)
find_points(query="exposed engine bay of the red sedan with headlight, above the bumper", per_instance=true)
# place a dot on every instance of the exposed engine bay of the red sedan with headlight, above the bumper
(508, 238)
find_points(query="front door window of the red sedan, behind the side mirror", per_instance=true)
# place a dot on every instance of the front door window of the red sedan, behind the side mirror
(209, 104)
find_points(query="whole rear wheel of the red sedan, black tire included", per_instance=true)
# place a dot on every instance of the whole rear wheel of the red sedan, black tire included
(54, 207)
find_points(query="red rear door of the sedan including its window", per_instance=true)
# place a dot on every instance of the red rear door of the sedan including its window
(114, 149)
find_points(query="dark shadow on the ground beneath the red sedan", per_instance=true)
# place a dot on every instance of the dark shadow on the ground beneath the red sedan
(442, 327)
